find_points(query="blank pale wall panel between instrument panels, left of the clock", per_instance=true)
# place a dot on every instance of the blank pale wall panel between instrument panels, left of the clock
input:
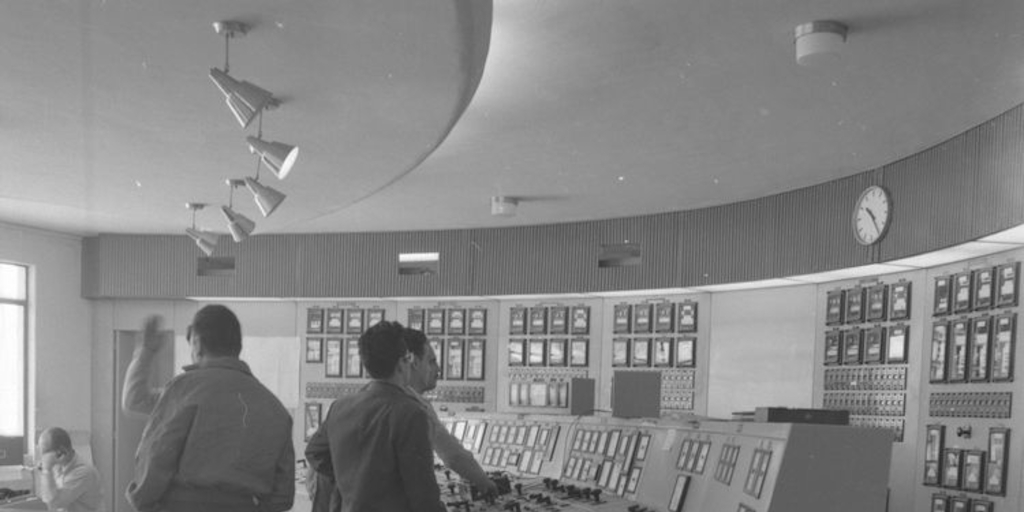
(762, 350)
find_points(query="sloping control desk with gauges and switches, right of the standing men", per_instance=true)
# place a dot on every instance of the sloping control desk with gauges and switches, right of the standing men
(547, 463)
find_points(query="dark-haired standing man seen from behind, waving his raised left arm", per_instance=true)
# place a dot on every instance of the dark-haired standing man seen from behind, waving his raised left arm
(218, 440)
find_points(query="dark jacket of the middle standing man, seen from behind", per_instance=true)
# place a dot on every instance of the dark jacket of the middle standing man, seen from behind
(381, 452)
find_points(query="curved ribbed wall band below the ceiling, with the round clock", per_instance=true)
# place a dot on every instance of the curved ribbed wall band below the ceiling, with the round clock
(964, 189)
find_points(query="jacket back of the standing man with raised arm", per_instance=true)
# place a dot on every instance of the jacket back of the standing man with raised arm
(217, 436)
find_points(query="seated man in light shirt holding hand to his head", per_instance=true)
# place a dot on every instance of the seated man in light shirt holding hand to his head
(66, 483)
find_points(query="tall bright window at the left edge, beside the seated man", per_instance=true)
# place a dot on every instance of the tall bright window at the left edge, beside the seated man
(14, 304)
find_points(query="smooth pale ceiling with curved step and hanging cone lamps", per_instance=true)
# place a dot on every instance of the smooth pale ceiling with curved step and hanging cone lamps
(586, 109)
